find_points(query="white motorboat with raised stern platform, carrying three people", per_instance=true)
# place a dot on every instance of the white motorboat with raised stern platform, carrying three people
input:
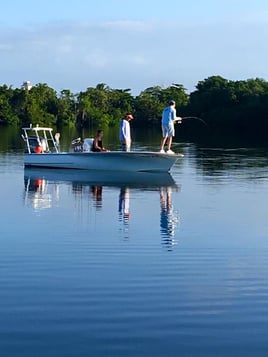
(42, 149)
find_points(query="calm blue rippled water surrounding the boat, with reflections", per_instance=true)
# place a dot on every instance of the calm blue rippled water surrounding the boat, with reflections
(136, 266)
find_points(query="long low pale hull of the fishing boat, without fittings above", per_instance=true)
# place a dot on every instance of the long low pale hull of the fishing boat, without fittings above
(108, 161)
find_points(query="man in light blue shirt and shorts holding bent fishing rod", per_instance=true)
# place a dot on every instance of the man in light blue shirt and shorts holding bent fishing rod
(169, 117)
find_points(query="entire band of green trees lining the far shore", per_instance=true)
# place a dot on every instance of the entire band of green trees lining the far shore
(237, 108)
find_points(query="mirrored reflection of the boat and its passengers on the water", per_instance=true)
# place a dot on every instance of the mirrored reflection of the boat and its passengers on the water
(43, 189)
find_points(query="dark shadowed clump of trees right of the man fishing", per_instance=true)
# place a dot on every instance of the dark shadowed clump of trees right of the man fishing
(232, 107)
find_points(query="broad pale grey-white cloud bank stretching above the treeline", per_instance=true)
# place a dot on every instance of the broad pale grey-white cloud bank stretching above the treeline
(132, 54)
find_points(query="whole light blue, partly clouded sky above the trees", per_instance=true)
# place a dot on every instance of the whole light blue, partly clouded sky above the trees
(76, 44)
